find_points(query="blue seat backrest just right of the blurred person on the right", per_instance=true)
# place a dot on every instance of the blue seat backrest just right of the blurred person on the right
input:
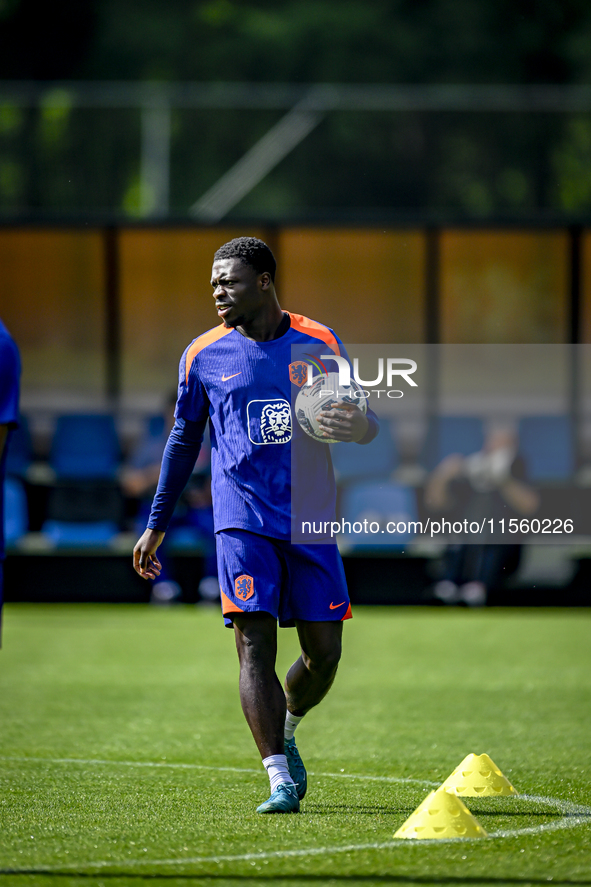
(547, 446)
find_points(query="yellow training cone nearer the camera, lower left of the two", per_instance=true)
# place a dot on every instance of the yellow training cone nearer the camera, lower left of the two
(441, 815)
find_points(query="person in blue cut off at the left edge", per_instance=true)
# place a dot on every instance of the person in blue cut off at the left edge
(10, 370)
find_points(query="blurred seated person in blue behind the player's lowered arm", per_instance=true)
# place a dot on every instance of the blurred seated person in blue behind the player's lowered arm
(193, 515)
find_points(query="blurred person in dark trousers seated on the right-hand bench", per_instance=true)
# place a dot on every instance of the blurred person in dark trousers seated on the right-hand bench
(490, 484)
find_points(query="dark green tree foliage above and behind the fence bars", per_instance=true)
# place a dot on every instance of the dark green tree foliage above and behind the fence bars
(354, 163)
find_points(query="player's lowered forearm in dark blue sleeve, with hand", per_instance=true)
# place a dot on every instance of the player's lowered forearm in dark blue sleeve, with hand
(178, 461)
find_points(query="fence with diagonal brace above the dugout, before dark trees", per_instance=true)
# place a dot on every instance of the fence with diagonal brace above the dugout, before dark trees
(283, 152)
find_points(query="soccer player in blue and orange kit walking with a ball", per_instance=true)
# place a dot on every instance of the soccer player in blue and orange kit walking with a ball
(242, 377)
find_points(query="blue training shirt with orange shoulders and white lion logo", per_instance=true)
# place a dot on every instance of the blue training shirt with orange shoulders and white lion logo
(247, 389)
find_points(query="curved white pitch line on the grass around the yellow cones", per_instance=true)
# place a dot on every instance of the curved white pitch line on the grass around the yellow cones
(573, 816)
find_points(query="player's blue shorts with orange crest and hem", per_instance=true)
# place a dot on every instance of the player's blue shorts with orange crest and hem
(291, 582)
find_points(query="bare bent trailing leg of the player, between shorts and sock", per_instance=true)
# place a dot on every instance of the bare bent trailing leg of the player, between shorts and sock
(312, 675)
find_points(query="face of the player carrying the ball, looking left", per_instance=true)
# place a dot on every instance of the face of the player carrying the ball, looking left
(238, 290)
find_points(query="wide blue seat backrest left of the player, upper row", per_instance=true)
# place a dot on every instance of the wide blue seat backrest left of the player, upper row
(85, 446)
